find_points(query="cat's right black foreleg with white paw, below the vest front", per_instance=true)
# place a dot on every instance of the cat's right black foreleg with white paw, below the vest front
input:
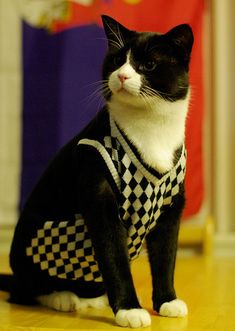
(162, 248)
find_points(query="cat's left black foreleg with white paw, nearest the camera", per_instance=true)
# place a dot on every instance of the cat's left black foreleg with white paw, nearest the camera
(110, 244)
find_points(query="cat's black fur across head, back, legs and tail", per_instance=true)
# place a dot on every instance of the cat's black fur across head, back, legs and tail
(78, 181)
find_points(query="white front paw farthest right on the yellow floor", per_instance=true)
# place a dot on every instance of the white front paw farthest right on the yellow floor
(174, 308)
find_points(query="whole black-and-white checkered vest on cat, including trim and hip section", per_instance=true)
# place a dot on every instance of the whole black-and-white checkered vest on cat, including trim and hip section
(65, 249)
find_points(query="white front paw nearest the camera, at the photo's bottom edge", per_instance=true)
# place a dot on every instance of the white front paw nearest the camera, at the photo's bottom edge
(134, 318)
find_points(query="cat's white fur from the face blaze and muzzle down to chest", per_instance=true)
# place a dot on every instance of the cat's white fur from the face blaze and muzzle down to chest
(155, 126)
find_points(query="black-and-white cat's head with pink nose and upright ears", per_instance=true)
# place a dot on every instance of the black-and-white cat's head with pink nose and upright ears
(141, 67)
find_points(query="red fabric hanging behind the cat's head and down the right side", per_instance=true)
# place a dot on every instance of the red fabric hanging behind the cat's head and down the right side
(162, 15)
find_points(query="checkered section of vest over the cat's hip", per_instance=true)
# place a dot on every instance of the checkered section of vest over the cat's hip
(65, 250)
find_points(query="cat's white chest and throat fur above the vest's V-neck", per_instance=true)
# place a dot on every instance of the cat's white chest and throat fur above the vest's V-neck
(156, 133)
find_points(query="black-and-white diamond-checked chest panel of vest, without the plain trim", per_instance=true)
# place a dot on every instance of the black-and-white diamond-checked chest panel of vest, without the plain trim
(142, 200)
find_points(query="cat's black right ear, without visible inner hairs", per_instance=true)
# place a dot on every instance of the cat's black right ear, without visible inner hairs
(182, 36)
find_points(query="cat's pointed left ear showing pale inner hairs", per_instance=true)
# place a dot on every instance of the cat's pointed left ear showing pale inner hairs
(115, 32)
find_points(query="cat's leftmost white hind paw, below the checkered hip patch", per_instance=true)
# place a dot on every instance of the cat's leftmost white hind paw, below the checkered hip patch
(62, 301)
